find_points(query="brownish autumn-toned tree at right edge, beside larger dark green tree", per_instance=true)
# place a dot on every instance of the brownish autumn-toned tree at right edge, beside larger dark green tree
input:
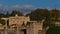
(52, 18)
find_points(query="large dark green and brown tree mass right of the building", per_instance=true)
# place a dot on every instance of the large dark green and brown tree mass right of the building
(50, 16)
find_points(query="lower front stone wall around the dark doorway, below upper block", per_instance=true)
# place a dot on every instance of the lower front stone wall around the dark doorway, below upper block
(34, 28)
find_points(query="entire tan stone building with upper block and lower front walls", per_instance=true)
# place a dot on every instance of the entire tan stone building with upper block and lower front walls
(21, 25)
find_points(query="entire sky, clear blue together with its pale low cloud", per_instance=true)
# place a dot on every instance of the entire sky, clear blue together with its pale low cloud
(29, 4)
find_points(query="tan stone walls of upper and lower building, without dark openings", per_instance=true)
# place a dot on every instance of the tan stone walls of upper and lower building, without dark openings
(32, 28)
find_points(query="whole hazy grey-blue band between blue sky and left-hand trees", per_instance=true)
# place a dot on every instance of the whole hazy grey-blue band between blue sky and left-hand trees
(23, 8)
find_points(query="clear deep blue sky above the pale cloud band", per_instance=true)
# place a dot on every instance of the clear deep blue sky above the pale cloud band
(36, 3)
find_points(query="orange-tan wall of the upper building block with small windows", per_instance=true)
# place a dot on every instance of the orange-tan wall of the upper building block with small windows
(18, 20)
